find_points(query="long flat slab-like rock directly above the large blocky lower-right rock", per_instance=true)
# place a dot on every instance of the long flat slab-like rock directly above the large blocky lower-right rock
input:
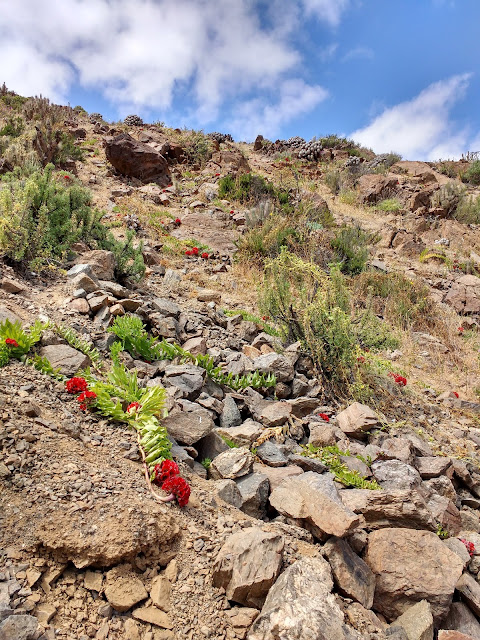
(390, 509)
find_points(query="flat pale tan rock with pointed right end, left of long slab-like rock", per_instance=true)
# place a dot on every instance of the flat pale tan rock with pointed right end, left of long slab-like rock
(313, 498)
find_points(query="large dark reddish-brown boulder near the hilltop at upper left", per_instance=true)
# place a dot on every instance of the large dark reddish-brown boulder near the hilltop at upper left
(136, 159)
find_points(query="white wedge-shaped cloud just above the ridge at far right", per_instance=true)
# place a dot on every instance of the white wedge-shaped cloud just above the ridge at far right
(420, 128)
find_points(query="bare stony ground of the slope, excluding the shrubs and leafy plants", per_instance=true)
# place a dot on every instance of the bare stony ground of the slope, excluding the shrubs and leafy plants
(273, 543)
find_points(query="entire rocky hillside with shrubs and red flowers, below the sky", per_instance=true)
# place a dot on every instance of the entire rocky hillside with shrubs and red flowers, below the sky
(295, 325)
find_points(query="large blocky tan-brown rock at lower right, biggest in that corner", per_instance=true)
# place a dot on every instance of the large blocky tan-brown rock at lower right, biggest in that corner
(423, 569)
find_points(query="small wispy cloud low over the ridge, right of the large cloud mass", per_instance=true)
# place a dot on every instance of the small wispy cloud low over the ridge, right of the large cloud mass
(258, 116)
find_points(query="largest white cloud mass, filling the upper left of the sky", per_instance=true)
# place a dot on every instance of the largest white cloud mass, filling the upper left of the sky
(141, 54)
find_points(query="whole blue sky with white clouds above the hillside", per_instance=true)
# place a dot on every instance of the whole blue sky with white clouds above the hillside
(401, 76)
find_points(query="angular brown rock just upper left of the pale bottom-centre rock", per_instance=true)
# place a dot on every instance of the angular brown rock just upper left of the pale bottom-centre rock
(248, 564)
